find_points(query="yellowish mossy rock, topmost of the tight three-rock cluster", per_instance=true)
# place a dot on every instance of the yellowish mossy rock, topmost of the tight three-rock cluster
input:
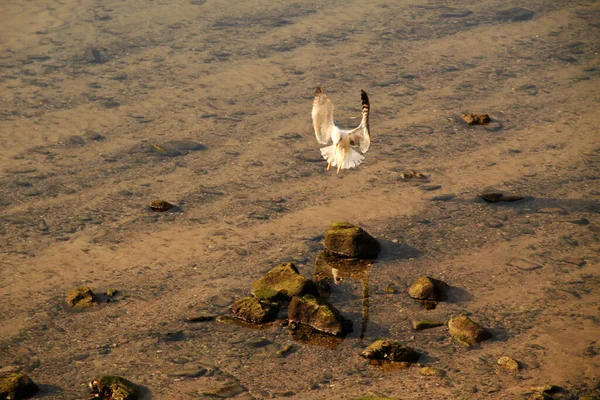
(282, 283)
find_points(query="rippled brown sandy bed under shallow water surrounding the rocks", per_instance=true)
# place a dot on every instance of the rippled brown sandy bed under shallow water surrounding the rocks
(88, 87)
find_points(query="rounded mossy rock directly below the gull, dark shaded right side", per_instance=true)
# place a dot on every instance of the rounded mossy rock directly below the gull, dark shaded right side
(351, 241)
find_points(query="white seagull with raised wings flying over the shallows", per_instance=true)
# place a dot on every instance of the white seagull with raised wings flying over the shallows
(342, 153)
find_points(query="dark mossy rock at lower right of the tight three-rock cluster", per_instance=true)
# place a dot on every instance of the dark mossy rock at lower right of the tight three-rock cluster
(318, 314)
